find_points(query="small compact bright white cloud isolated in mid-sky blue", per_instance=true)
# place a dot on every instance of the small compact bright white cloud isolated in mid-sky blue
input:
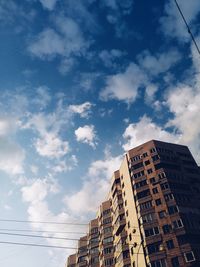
(86, 134)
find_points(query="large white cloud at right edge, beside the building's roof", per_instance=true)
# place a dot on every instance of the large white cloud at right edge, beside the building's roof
(183, 101)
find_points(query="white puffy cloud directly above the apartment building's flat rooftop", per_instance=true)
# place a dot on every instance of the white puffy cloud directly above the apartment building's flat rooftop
(144, 130)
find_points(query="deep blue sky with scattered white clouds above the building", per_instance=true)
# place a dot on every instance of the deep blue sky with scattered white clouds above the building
(80, 84)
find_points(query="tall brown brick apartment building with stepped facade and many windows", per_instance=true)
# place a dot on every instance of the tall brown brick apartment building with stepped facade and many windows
(152, 214)
